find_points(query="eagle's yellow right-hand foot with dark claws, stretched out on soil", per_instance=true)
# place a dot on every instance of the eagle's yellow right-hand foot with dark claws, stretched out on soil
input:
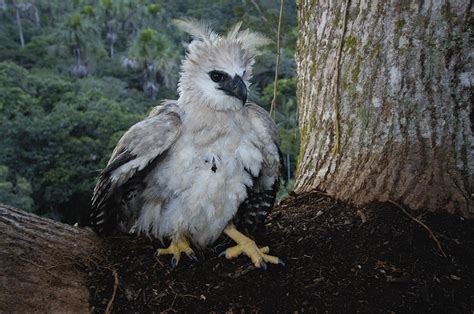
(248, 247)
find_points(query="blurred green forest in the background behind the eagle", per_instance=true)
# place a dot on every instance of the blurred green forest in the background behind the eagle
(74, 75)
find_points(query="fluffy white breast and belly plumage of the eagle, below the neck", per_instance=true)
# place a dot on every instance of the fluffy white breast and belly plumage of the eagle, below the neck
(207, 182)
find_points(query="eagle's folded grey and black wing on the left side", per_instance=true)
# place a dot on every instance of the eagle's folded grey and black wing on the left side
(138, 151)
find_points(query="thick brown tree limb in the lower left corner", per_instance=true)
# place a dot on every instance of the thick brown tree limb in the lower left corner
(38, 259)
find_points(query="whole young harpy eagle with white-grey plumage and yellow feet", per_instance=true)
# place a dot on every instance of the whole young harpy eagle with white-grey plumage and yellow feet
(203, 165)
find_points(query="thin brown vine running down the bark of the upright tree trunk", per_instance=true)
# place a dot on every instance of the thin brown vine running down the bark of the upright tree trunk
(337, 80)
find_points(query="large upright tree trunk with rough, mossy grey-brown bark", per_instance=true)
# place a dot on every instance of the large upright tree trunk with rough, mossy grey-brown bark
(390, 82)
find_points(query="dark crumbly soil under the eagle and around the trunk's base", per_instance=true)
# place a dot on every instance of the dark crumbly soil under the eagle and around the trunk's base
(339, 258)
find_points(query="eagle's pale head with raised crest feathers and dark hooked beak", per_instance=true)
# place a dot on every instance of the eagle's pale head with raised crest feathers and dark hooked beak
(217, 69)
